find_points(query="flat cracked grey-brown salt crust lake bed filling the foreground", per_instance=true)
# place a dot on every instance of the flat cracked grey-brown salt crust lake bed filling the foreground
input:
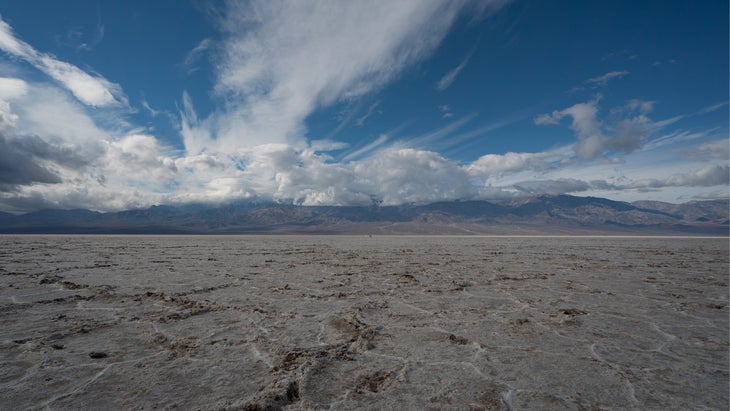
(345, 322)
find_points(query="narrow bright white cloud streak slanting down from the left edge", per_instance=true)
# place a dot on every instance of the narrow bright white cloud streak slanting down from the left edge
(91, 90)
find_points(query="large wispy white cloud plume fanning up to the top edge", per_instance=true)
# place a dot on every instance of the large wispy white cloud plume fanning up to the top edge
(283, 60)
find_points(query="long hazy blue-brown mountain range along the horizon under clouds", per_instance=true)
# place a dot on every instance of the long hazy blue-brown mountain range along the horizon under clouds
(561, 214)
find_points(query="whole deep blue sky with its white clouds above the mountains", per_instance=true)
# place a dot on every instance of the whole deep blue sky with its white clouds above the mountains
(113, 105)
